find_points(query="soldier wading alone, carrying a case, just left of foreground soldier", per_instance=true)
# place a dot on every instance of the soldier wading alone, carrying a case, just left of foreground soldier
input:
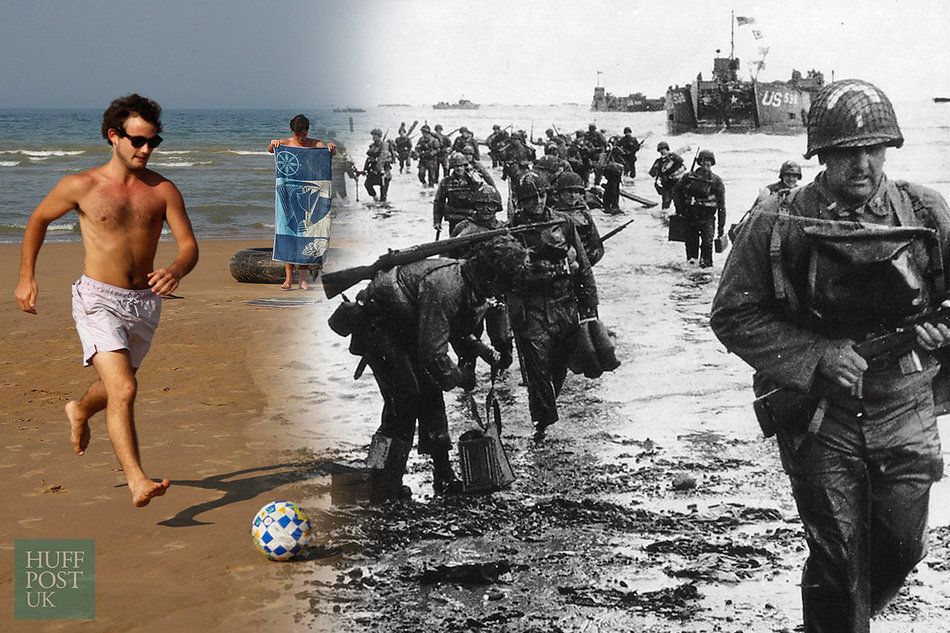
(701, 197)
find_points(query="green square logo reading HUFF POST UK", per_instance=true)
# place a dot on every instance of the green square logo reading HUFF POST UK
(55, 579)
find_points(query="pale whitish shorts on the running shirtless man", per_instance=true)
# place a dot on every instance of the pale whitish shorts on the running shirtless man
(109, 318)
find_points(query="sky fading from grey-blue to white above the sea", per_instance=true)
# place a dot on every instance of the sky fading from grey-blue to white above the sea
(311, 53)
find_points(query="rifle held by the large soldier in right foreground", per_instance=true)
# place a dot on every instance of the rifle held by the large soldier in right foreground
(783, 405)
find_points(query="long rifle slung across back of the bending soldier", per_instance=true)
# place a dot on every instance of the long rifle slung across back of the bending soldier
(338, 281)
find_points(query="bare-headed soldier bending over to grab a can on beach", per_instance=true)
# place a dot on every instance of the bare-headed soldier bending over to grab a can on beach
(413, 313)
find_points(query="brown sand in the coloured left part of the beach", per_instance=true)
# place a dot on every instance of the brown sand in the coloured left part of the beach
(211, 413)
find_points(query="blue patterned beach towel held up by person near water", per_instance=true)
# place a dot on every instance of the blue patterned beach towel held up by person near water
(302, 204)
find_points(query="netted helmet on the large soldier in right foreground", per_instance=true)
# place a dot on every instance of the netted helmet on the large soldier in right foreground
(851, 113)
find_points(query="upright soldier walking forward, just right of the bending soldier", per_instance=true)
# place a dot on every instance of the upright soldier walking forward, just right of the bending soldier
(544, 313)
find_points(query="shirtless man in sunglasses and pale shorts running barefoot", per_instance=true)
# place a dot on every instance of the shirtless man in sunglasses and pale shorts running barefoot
(122, 208)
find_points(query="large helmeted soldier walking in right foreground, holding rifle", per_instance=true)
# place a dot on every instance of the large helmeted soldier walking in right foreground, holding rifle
(811, 274)
